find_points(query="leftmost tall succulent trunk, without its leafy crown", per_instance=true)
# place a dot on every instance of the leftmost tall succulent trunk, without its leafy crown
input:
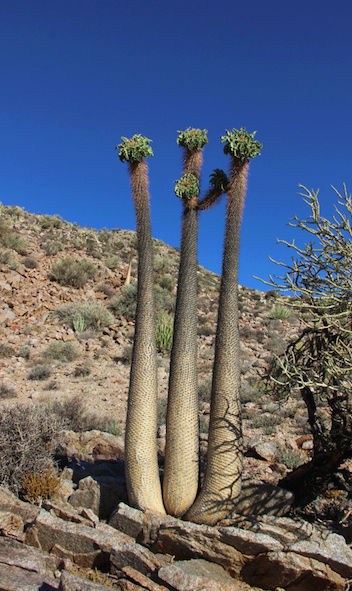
(142, 474)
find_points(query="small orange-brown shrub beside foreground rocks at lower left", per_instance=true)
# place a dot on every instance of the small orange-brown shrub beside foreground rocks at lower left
(40, 485)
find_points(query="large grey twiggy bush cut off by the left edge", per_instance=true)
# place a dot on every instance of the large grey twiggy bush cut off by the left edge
(28, 435)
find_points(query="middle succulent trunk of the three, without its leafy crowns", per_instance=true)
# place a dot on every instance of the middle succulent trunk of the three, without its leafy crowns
(182, 446)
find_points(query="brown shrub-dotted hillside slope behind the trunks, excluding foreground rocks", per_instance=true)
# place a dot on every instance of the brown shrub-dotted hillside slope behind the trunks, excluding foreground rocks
(66, 322)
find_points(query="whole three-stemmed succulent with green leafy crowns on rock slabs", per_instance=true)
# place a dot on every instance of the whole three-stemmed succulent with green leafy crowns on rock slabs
(222, 483)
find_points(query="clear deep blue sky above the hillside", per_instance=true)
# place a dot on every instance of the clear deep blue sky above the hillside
(78, 74)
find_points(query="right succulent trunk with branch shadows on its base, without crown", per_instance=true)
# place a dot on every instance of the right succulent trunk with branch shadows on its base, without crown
(222, 483)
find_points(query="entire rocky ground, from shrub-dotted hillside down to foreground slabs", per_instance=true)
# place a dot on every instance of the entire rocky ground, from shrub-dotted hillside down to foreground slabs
(66, 328)
